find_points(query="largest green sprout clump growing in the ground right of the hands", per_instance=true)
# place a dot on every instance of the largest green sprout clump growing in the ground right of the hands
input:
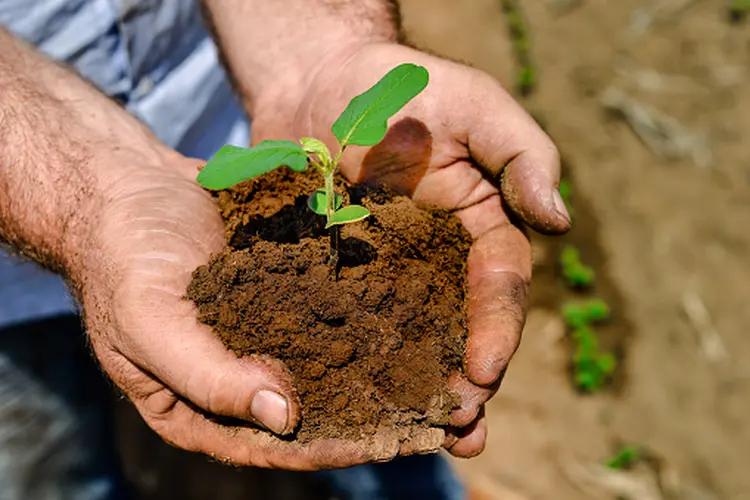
(591, 367)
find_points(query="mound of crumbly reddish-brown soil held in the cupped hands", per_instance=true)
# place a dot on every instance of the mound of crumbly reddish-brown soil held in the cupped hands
(370, 350)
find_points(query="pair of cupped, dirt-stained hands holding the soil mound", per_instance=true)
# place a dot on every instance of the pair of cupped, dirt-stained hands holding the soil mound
(463, 145)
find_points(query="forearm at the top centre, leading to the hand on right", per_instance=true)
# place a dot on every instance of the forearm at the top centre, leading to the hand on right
(271, 47)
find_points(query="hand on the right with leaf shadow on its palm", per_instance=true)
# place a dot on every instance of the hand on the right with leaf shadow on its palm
(464, 145)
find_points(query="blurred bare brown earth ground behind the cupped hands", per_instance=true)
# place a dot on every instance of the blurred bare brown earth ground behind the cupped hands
(668, 237)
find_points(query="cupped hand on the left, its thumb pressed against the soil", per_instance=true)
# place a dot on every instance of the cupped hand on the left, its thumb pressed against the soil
(155, 228)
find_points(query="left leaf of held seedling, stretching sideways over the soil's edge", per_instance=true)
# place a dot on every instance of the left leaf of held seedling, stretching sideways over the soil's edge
(232, 165)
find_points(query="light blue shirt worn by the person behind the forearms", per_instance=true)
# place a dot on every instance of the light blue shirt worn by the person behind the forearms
(154, 56)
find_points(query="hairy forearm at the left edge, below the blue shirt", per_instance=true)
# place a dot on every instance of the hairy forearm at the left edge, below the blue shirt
(60, 140)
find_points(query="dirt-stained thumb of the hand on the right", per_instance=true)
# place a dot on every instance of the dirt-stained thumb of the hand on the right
(503, 139)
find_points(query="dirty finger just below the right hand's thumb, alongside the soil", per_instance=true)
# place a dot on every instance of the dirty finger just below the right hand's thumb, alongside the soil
(498, 275)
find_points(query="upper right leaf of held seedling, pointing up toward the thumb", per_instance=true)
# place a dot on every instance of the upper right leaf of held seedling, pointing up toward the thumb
(364, 122)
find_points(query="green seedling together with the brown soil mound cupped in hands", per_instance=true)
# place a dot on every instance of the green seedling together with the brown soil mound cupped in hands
(370, 347)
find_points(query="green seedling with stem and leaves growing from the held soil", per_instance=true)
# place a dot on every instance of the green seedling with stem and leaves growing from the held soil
(364, 122)
